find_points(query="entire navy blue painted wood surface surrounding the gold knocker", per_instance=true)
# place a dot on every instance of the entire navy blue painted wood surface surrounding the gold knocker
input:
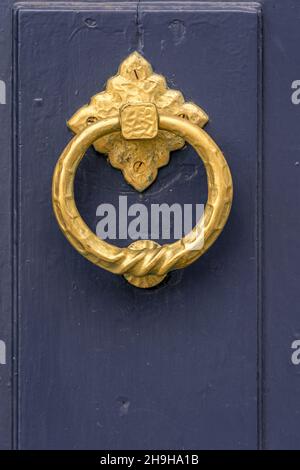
(205, 360)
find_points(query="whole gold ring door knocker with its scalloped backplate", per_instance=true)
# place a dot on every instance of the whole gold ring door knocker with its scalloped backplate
(137, 121)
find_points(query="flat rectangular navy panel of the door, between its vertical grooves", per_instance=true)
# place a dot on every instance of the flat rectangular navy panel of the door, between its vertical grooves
(104, 365)
